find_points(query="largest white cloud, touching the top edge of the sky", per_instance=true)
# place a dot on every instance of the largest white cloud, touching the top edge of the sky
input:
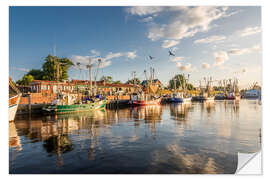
(184, 21)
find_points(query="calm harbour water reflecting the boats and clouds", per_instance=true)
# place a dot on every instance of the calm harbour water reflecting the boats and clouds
(173, 138)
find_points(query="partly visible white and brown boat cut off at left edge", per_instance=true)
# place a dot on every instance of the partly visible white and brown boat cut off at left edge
(14, 100)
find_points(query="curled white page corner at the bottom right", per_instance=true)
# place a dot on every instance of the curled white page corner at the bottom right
(249, 163)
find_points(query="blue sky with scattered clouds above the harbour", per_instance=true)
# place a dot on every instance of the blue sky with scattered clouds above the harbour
(223, 42)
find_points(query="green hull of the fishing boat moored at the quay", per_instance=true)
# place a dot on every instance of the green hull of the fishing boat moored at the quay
(60, 109)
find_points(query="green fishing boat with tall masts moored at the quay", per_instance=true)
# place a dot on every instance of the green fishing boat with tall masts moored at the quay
(69, 103)
